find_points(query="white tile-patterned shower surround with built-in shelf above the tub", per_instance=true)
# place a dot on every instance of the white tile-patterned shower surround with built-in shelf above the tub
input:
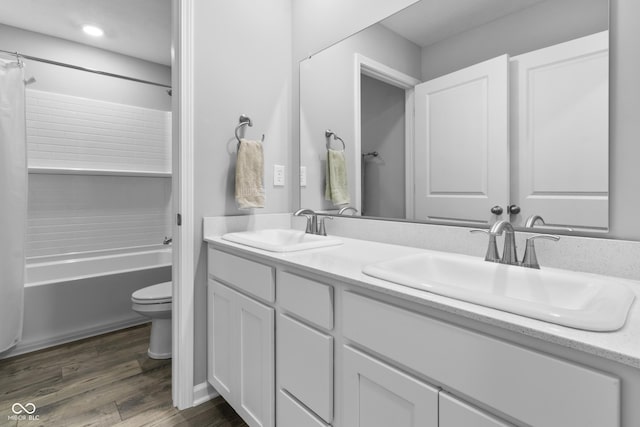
(73, 211)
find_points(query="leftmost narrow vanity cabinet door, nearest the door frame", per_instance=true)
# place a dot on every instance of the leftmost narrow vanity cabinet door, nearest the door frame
(221, 343)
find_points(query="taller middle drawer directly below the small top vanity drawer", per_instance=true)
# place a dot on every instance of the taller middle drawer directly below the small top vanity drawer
(305, 365)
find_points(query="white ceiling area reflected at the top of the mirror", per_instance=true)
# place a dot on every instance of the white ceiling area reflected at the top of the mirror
(429, 21)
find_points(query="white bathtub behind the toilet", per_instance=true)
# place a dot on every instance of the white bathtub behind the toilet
(74, 296)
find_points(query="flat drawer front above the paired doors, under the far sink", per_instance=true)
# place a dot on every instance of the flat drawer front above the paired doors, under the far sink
(252, 277)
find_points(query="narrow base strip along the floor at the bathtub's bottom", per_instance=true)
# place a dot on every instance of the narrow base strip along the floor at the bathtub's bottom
(28, 347)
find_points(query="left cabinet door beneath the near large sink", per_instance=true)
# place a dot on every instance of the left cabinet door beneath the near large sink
(378, 395)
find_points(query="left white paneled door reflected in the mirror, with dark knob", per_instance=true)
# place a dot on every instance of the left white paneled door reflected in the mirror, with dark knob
(461, 160)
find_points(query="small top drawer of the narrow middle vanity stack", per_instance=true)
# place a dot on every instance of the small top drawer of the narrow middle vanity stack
(311, 300)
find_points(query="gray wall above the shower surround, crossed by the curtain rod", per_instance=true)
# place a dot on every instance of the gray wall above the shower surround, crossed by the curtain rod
(52, 78)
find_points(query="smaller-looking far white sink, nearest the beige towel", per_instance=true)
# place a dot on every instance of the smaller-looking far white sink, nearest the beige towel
(281, 240)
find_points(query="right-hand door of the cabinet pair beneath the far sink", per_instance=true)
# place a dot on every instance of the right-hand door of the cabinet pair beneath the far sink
(255, 356)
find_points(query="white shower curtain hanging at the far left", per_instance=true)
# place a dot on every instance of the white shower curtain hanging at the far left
(13, 197)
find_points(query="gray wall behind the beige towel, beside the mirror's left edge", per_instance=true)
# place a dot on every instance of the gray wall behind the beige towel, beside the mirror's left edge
(242, 65)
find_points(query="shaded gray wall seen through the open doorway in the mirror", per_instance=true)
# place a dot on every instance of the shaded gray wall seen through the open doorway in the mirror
(382, 119)
